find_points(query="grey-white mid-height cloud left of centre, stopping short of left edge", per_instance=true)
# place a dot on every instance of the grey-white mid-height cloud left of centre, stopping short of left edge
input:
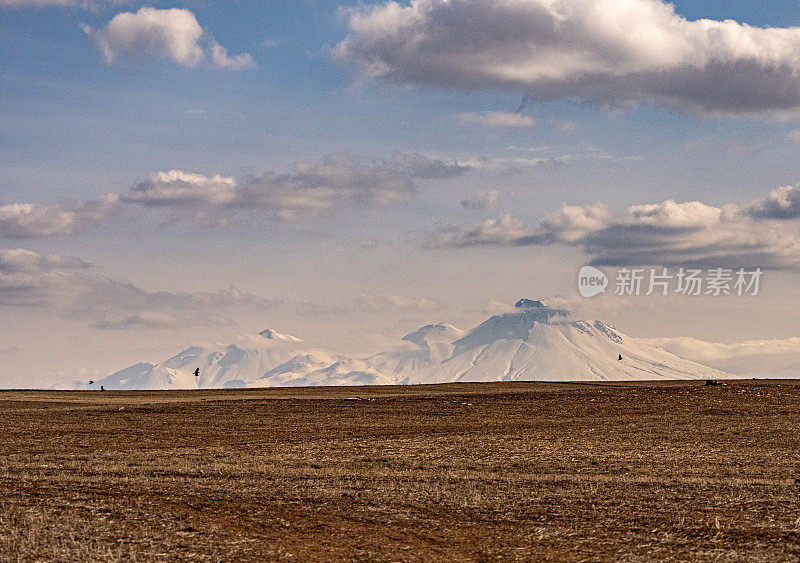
(310, 188)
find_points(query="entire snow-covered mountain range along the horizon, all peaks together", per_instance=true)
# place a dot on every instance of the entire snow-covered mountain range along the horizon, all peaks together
(535, 342)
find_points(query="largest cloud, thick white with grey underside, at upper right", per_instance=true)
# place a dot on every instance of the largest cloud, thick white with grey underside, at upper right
(605, 52)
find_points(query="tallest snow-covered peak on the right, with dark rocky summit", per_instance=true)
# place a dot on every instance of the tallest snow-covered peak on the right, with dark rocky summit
(538, 343)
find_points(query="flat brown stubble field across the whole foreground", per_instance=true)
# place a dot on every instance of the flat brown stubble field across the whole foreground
(459, 472)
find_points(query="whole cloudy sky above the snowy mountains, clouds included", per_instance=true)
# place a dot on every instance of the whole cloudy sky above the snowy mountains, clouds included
(183, 172)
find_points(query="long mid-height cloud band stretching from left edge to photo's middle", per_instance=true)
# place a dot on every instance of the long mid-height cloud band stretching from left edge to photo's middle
(309, 188)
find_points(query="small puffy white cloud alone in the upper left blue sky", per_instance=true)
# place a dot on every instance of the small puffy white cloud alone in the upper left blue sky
(172, 34)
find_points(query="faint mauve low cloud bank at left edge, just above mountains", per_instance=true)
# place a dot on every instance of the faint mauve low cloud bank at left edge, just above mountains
(74, 289)
